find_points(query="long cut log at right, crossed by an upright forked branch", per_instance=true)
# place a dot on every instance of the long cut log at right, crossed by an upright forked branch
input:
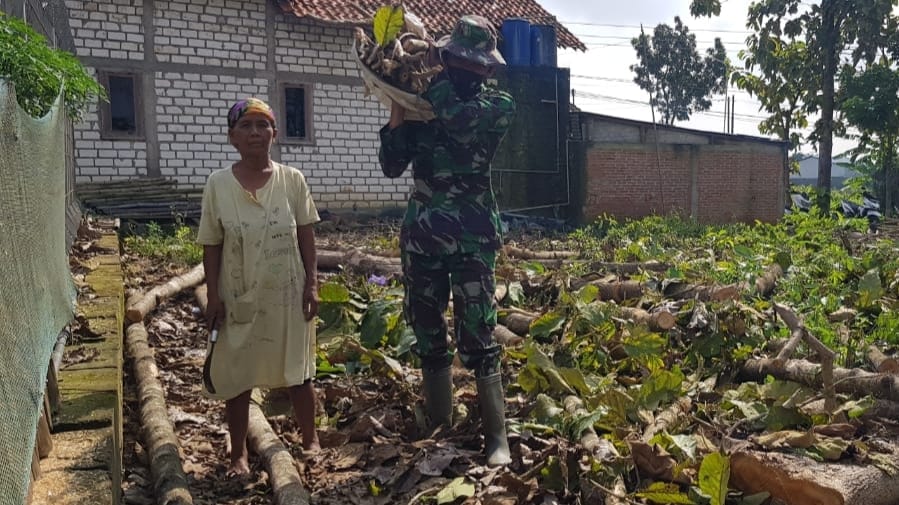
(855, 382)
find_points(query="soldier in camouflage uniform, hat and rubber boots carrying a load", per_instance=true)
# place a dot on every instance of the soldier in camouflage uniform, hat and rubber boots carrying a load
(450, 234)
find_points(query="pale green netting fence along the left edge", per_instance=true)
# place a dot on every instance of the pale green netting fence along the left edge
(36, 290)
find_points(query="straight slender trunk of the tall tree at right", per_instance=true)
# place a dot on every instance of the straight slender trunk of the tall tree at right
(829, 35)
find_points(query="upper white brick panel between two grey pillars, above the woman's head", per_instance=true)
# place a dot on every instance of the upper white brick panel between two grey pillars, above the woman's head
(223, 33)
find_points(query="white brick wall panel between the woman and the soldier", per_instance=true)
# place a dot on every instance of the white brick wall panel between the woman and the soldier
(342, 167)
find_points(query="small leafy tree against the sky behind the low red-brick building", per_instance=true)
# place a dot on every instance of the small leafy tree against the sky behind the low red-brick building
(671, 69)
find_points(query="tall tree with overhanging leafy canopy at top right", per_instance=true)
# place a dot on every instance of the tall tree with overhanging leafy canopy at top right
(829, 28)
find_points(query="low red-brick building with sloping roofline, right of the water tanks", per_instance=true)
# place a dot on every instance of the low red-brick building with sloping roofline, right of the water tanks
(633, 169)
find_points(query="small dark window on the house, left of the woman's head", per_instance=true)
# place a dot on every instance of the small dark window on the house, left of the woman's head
(121, 117)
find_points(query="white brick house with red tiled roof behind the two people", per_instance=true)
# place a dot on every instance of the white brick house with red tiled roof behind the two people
(173, 67)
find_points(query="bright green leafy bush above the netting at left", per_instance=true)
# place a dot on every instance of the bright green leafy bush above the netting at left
(40, 72)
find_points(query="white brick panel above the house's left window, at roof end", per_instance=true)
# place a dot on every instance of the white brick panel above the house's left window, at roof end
(107, 28)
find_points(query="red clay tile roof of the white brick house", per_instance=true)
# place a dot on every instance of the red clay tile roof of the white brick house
(438, 16)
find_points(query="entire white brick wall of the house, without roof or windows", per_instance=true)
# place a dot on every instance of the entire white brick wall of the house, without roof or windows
(341, 162)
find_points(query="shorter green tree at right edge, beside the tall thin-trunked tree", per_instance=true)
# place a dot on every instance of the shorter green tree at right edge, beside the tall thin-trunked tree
(869, 99)
